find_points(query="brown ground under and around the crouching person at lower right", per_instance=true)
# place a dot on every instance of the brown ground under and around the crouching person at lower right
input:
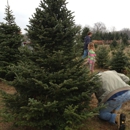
(96, 124)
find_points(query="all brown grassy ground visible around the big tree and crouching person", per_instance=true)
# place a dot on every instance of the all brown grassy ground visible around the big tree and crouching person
(92, 124)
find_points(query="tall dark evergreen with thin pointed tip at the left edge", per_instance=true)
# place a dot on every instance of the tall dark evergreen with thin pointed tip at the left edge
(10, 40)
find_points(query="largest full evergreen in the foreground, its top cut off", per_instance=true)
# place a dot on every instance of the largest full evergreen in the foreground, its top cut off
(53, 90)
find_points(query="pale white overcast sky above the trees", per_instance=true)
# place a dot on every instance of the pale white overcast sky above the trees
(113, 13)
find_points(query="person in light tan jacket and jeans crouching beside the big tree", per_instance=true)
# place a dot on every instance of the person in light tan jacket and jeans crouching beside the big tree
(114, 92)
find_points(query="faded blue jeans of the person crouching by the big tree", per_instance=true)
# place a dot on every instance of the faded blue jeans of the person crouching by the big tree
(114, 104)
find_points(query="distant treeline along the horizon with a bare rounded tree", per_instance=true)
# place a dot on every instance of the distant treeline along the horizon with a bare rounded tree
(101, 33)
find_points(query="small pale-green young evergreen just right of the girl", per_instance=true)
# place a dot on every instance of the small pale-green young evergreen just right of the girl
(102, 57)
